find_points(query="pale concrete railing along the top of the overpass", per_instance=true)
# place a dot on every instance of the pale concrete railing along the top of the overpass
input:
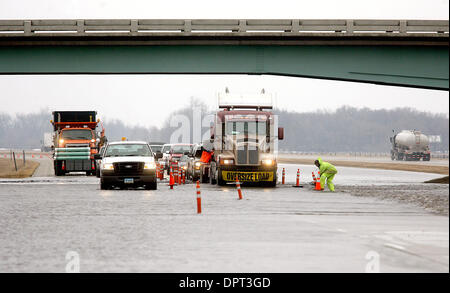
(236, 26)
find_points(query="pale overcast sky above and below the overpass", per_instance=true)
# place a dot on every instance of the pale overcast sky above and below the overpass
(154, 96)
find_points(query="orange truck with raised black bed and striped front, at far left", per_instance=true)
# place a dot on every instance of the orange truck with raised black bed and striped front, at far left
(76, 141)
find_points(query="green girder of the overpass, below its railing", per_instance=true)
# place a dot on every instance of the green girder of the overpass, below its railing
(411, 66)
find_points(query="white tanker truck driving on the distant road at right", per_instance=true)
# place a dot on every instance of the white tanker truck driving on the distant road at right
(410, 145)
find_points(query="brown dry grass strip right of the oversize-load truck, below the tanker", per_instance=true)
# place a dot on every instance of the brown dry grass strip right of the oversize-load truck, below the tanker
(373, 165)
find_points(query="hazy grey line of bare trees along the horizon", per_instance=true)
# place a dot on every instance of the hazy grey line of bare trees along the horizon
(347, 129)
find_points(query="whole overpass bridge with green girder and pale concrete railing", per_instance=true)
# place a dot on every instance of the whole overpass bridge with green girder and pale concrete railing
(412, 53)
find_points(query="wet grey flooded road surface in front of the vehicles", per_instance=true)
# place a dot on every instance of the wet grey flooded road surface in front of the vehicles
(271, 230)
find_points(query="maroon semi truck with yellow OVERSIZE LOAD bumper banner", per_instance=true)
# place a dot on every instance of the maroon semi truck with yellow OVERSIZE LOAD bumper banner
(245, 138)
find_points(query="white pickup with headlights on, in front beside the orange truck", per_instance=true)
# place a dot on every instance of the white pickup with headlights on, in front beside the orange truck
(127, 163)
